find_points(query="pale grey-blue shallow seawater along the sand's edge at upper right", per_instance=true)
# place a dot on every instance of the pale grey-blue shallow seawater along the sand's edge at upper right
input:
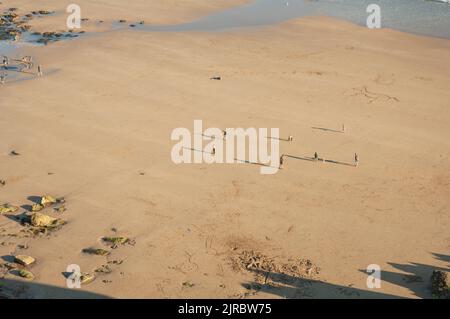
(430, 18)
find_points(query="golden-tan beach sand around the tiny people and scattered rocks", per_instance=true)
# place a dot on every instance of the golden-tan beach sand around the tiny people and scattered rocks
(100, 121)
